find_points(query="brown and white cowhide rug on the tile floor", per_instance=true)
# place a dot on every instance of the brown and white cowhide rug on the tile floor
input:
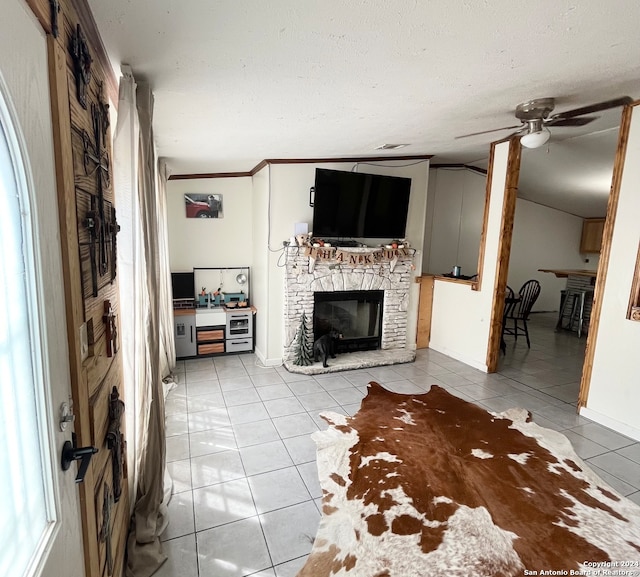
(431, 485)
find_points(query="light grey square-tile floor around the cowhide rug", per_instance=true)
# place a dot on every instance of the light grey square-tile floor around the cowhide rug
(246, 495)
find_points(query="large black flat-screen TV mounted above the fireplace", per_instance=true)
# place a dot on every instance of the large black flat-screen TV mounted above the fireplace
(355, 204)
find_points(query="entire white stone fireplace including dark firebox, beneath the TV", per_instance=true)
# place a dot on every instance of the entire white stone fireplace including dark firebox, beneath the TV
(307, 278)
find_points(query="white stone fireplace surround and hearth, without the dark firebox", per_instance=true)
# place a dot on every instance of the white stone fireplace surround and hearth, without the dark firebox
(392, 276)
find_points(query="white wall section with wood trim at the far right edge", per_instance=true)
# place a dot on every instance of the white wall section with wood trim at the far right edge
(614, 394)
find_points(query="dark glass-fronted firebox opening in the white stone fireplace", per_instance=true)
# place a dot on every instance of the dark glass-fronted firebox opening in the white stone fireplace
(356, 315)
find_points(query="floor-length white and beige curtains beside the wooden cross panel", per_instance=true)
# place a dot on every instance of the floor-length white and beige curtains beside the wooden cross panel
(148, 351)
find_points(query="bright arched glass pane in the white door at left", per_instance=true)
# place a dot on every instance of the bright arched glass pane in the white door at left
(25, 471)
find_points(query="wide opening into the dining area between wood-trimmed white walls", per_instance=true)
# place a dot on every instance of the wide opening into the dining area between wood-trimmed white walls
(560, 185)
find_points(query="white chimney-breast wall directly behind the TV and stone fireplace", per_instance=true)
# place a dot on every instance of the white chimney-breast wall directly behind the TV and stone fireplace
(289, 196)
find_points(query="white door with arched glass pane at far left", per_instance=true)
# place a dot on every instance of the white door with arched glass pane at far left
(34, 351)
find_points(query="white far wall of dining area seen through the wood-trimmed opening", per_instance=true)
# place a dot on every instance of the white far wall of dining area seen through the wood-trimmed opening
(544, 238)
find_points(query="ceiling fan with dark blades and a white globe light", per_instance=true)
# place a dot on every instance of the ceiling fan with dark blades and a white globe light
(534, 119)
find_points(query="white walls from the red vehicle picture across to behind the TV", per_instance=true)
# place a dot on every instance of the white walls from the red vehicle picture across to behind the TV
(259, 214)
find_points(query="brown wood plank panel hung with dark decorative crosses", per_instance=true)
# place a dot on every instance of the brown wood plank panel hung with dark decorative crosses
(80, 85)
